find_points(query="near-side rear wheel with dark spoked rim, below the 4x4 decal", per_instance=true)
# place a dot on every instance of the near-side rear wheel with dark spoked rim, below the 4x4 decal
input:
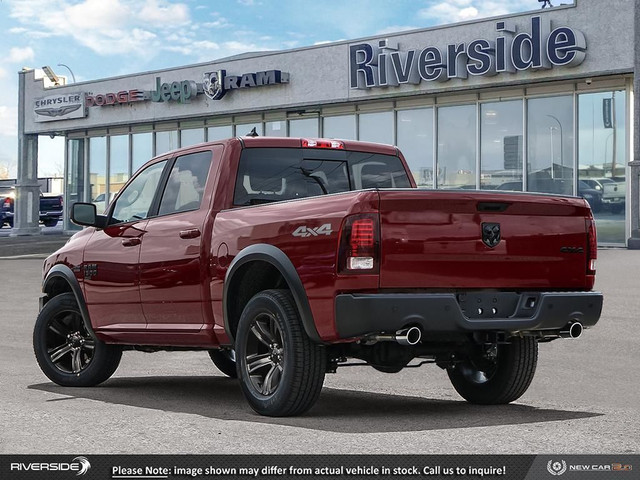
(281, 371)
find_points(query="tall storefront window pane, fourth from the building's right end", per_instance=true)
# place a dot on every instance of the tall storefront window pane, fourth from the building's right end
(456, 147)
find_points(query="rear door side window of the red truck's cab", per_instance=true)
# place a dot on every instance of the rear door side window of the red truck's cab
(185, 187)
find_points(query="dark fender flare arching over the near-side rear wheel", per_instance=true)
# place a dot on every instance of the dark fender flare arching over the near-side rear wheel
(278, 259)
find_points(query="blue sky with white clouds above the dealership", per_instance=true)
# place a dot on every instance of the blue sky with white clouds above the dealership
(105, 38)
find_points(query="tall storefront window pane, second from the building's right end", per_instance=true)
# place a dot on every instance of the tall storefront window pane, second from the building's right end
(550, 145)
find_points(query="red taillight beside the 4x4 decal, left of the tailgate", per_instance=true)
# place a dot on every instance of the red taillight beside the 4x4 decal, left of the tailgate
(359, 245)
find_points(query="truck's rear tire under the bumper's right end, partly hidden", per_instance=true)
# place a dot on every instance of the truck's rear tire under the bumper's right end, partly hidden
(501, 381)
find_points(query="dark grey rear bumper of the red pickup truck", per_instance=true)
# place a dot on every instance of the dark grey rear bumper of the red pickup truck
(360, 315)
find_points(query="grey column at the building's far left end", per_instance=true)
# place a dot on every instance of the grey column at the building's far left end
(27, 204)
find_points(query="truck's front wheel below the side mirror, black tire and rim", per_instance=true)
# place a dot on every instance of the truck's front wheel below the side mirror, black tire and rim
(64, 349)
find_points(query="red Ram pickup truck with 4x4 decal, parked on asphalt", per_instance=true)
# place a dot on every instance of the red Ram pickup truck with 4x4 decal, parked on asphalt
(285, 258)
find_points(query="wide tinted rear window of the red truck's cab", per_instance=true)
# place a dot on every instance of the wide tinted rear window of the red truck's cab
(276, 174)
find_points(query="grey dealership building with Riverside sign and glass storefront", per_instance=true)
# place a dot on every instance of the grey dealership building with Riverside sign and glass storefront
(540, 101)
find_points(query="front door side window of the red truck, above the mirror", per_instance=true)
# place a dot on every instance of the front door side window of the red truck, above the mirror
(135, 200)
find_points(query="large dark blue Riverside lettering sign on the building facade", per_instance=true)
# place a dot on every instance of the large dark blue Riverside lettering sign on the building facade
(382, 64)
